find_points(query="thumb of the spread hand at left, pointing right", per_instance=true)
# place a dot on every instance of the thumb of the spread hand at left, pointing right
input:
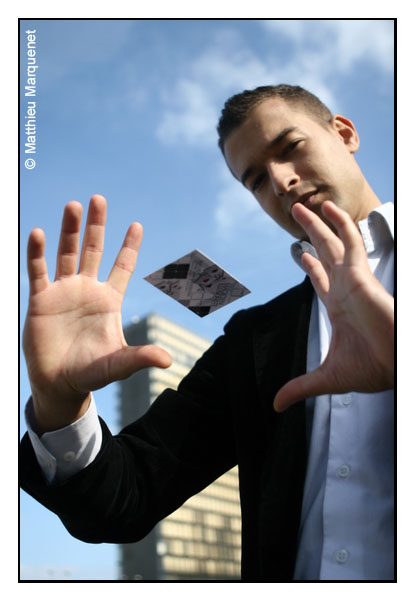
(125, 362)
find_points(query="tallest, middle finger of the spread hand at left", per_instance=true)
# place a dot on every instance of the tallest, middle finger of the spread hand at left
(93, 243)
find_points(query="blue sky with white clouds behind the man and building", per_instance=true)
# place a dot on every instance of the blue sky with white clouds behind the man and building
(128, 109)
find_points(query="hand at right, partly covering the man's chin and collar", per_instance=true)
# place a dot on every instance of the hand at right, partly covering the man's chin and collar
(361, 312)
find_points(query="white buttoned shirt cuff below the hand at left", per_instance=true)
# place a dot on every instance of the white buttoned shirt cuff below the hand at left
(65, 452)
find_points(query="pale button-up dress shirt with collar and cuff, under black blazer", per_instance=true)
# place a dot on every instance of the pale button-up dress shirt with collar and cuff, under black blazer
(348, 504)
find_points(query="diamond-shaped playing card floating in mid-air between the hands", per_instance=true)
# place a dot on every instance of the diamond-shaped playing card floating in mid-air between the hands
(198, 283)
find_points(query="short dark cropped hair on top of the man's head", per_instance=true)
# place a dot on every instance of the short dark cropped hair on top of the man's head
(238, 107)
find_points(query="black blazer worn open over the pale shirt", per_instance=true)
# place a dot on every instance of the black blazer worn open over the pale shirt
(221, 415)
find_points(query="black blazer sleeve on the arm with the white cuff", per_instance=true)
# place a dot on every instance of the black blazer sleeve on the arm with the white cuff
(182, 444)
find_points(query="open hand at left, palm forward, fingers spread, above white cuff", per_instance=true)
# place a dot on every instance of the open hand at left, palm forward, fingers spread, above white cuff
(73, 338)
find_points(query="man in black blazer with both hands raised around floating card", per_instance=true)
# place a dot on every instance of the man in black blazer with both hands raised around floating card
(316, 475)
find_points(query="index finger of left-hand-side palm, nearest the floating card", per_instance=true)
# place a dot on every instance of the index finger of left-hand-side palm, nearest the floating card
(126, 259)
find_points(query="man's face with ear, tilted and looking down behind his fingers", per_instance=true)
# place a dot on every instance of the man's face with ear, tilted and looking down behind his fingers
(283, 156)
